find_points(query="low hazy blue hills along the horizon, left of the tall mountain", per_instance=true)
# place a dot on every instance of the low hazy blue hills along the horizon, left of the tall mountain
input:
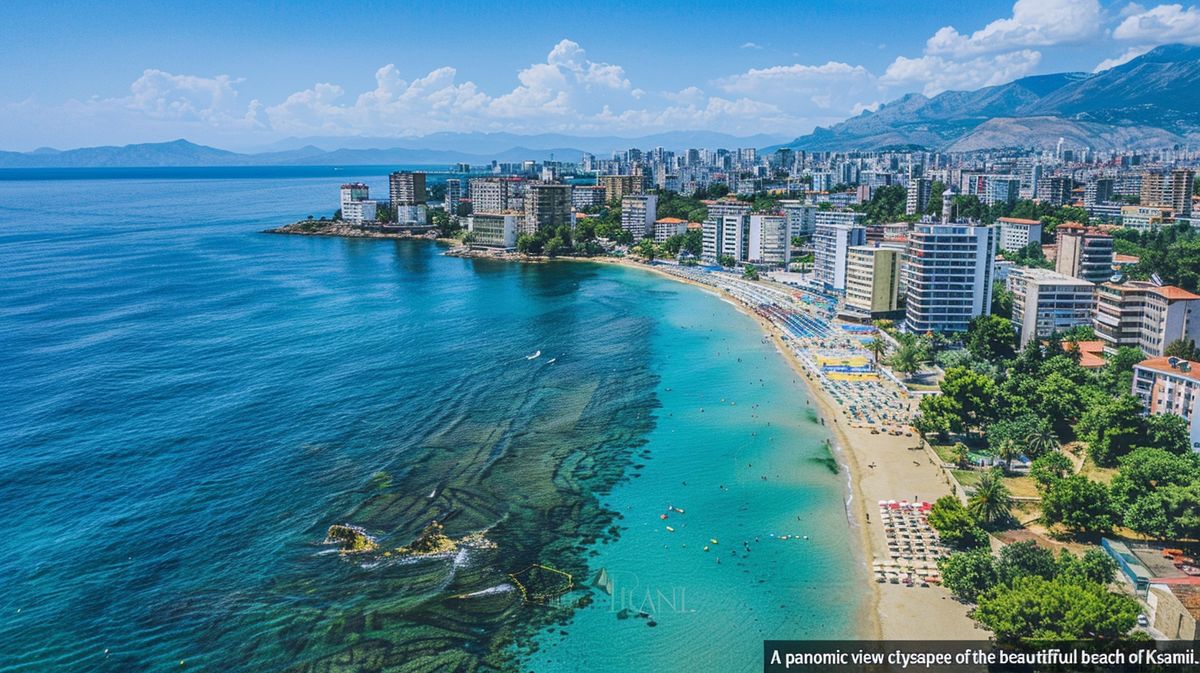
(437, 149)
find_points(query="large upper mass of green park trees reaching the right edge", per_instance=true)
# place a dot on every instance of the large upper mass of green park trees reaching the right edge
(1029, 404)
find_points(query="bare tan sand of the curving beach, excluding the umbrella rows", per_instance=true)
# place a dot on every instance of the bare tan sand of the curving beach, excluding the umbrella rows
(901, 472)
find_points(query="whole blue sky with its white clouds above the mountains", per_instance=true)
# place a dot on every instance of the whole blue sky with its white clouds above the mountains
(245, 75)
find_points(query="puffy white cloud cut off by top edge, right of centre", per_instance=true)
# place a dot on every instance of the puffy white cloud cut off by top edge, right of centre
(1035, 23)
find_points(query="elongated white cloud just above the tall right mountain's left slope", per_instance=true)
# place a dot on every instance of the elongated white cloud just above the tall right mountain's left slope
(937, 74)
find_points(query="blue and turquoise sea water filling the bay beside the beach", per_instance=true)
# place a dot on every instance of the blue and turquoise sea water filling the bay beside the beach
(187, 405)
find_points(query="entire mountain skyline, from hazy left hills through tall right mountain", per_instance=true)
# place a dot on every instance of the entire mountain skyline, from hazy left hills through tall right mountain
(1153, 101)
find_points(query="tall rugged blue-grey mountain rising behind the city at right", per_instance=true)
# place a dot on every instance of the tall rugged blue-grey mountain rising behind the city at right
(1153, 101)
